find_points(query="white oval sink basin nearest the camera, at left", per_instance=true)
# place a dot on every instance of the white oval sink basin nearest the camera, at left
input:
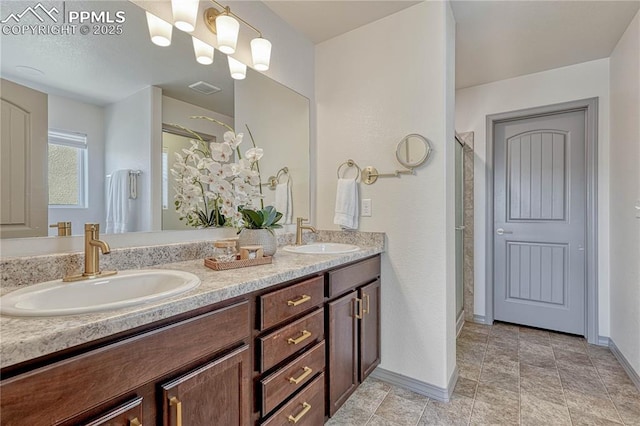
(127, 288)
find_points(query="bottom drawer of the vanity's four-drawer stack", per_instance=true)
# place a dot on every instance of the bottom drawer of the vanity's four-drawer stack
(306, 408)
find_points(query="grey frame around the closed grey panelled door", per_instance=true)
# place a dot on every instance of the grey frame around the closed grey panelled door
(590, 107)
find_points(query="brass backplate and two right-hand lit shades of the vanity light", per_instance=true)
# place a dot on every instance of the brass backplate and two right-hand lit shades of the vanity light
(224, 23)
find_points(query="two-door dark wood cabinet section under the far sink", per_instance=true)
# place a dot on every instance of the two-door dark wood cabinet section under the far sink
(353, 328)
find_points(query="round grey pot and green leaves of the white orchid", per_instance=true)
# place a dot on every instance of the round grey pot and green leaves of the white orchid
(257, 228)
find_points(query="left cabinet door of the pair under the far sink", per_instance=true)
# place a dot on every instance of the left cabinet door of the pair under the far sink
(343, 350)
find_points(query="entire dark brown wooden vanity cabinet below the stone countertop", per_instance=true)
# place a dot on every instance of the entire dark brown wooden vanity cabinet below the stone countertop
(290, 354)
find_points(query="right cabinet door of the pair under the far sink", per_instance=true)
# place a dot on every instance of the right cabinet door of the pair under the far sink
(370, 329)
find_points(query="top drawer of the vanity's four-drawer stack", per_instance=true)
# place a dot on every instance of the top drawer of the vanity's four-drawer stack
(280, 305)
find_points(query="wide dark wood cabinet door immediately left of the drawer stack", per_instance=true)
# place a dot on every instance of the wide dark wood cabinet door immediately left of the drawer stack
(218, 393)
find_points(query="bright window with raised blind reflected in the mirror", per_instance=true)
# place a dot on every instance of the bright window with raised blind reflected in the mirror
(67, 159)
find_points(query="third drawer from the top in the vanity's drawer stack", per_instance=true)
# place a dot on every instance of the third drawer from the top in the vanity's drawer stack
(278, 386)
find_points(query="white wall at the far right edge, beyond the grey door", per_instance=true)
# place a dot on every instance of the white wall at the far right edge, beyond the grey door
(625, 193)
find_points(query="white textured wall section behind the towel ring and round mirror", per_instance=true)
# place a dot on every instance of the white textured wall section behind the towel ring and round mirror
(372, 90)
